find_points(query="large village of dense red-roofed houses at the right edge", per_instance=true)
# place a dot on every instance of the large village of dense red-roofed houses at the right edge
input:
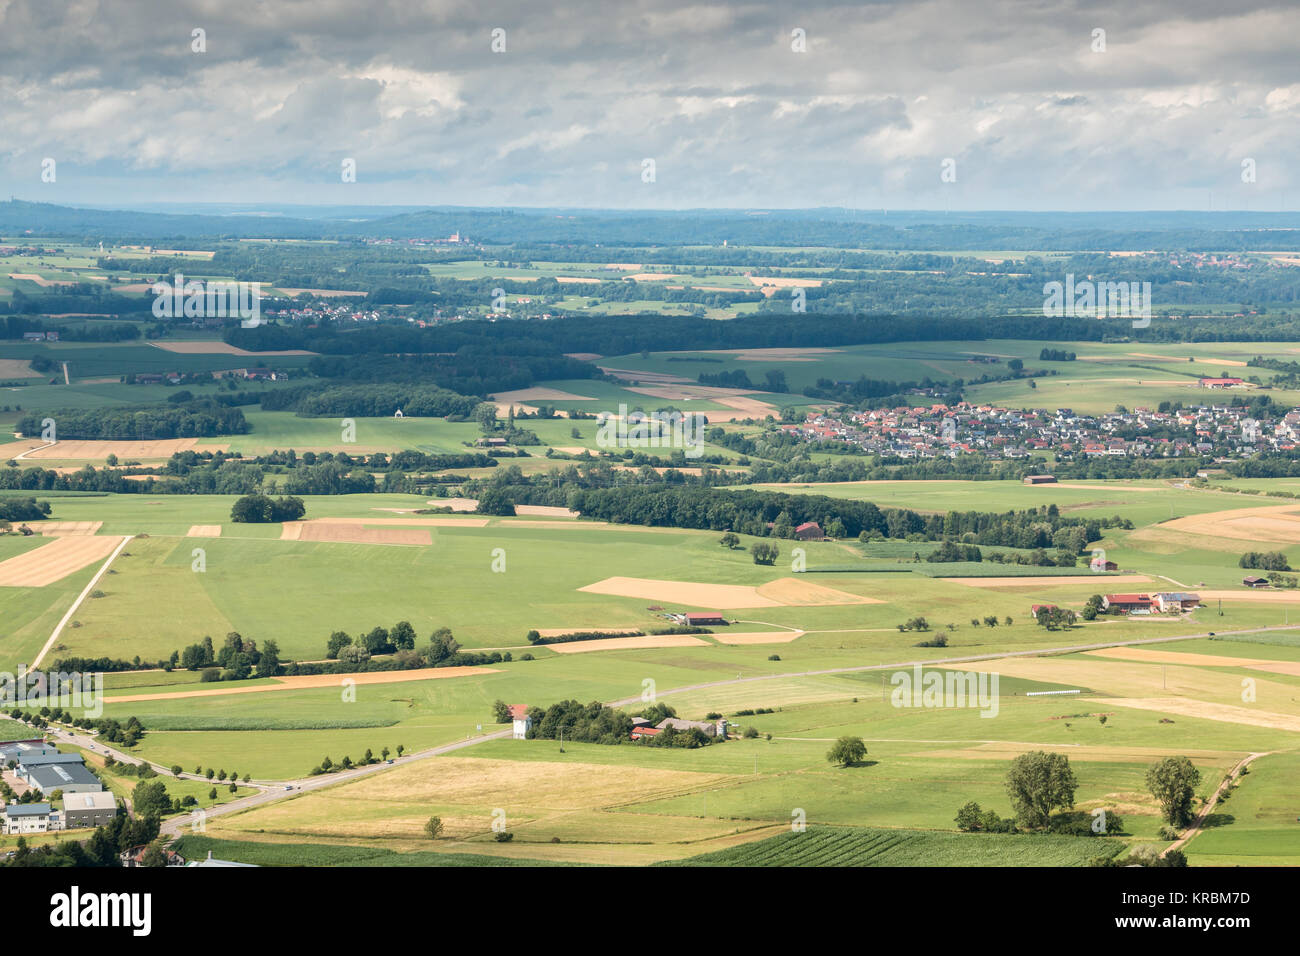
(943, 431)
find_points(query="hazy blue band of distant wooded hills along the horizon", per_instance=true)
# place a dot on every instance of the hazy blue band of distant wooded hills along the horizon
(853, 228)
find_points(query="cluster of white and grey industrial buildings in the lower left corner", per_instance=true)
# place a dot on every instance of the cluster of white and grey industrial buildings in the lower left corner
(38, 767)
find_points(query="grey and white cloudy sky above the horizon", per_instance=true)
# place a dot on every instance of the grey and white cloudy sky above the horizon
(1030, 106)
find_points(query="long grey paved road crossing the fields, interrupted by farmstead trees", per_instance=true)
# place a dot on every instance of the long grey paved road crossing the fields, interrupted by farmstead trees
(276, 791)
